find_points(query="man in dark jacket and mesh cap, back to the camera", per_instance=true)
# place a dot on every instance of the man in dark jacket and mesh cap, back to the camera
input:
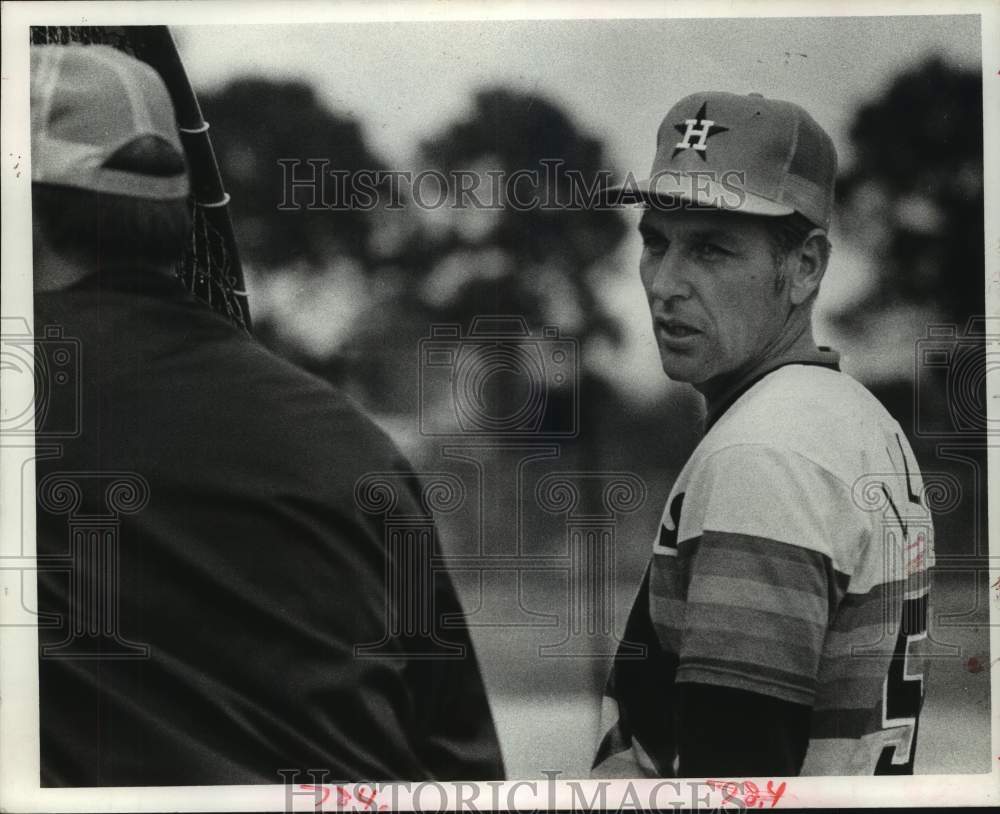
(229, 617)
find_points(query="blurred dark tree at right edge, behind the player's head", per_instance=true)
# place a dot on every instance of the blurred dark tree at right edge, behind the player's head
(914, 195)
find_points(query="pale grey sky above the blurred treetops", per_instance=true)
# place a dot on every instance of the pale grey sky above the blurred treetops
(617, 77)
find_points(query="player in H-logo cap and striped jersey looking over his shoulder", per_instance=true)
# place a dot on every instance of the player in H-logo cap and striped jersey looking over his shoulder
(784, 607)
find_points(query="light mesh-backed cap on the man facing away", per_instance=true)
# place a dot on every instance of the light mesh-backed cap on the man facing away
(87, 102)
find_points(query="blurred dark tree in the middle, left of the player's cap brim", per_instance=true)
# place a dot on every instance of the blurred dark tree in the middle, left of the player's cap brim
(536, 261)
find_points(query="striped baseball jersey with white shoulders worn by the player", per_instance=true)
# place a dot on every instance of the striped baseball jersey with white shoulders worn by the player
(791, 561)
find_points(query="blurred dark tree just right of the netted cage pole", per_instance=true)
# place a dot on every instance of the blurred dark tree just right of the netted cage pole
(308, 268)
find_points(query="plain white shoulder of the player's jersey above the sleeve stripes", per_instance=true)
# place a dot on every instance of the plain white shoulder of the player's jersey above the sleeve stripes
(784, 461)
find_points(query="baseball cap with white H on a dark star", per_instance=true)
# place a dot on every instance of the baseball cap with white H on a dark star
(744, 153)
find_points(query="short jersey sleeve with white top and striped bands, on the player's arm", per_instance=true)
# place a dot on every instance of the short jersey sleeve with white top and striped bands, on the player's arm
(767, 536)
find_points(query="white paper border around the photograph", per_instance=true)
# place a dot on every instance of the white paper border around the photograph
(19, 738)
